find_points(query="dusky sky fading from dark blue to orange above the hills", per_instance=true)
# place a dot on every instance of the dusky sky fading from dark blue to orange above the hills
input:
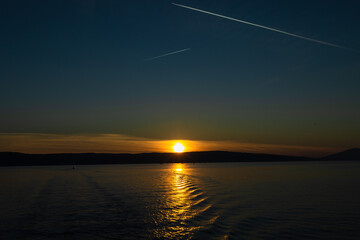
(135, 75)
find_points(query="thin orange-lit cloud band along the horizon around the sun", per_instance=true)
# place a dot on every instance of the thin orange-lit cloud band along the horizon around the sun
(117, 143)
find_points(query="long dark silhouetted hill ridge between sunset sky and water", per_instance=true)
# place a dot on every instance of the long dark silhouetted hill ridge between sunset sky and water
(21, 159)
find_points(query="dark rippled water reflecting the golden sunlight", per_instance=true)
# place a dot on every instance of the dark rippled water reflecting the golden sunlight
(182, 201)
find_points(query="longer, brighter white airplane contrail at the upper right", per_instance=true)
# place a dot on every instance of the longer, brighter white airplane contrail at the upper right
(265, 27)
